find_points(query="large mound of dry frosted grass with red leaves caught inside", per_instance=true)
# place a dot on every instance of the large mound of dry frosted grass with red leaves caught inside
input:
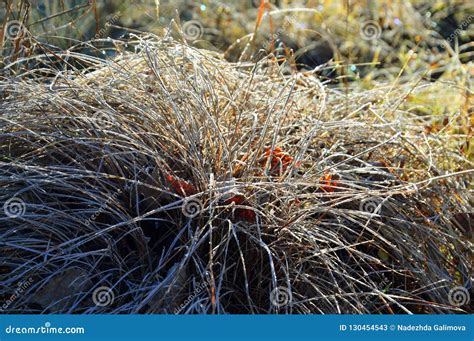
(353, 212)
